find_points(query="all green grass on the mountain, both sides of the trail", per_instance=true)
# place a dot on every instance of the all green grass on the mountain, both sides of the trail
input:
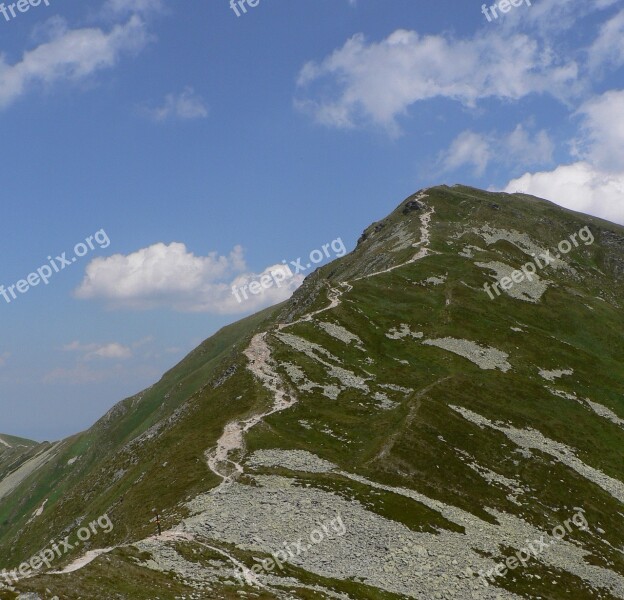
(570, 328)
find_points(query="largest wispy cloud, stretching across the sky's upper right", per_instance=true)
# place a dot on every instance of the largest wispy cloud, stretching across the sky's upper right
(527, 52)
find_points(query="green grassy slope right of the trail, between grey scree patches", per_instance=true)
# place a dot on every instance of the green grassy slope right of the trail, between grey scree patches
(571, 328)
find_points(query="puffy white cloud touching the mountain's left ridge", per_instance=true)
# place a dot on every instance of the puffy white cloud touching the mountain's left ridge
(170, 276)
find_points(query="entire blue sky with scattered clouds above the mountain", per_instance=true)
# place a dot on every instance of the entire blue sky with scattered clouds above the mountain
(207, 148)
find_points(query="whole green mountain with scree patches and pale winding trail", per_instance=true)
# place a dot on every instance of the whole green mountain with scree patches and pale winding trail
(438, 414)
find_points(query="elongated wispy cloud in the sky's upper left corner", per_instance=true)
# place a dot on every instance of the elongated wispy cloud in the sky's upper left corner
(69, 55)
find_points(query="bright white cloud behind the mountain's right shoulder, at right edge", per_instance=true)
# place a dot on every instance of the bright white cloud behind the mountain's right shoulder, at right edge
(594, 184)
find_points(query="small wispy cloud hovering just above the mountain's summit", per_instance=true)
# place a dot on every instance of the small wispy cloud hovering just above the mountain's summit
(478, 150)
